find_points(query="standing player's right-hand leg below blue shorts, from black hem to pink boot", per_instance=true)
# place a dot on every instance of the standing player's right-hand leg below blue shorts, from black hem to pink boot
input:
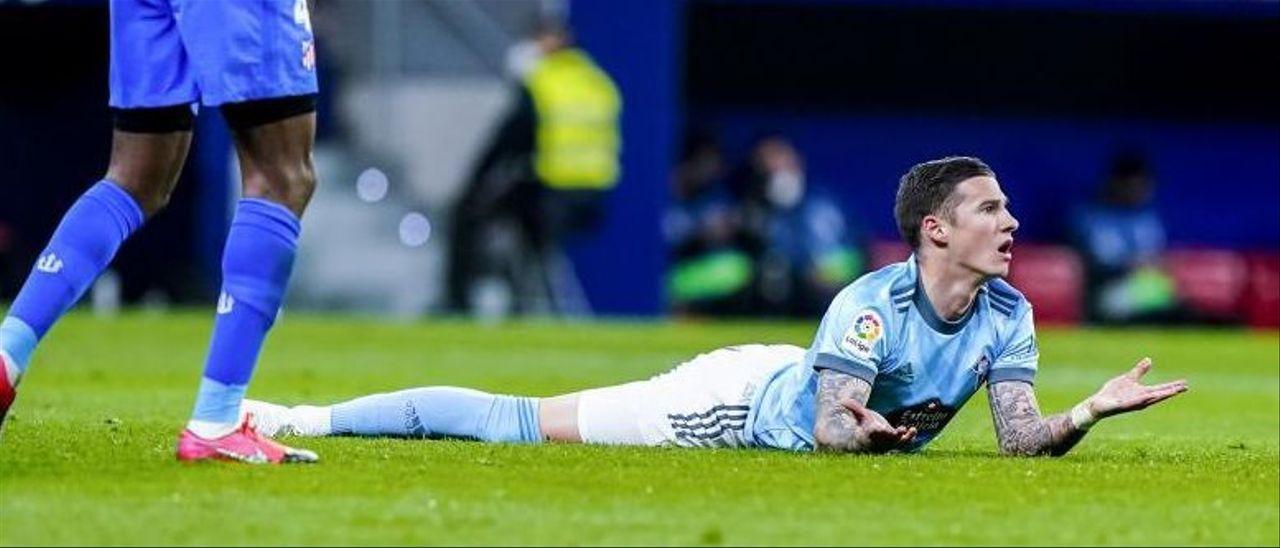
(273, 141)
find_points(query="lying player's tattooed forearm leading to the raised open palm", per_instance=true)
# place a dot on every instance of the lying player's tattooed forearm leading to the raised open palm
(1021, 428)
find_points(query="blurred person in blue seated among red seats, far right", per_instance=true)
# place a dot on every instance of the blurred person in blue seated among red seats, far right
(1122, 239)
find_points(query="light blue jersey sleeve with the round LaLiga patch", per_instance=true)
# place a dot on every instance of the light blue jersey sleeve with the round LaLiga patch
(852, 339)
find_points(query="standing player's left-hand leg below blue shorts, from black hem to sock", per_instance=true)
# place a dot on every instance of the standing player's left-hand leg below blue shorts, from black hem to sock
(149, 149)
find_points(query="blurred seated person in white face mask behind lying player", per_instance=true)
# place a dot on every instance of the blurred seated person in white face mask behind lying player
(804, 248)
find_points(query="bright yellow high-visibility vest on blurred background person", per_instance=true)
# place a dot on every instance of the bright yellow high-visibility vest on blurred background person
(578, 108)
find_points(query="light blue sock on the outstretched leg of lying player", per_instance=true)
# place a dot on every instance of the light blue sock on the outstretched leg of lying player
(441, 413)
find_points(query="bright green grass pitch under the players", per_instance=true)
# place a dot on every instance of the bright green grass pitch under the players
(89, 455)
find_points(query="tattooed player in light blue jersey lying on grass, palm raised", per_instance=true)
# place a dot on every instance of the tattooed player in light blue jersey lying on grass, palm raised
(897, 355)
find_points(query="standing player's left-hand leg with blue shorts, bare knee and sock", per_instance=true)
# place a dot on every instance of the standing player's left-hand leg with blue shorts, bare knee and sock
(152, 97)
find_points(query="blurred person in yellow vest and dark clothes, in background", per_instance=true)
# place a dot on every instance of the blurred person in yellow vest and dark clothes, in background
(550, 166)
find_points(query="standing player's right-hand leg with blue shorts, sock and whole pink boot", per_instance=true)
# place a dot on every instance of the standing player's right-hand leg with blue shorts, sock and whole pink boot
(257, 62)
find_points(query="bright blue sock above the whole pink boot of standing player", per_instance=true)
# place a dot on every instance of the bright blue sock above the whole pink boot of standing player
(257, 267)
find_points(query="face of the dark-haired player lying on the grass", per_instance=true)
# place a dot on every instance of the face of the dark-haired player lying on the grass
(981, 236)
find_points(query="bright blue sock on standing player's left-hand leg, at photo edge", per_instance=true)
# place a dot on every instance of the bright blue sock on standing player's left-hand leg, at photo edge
(84, 244)
